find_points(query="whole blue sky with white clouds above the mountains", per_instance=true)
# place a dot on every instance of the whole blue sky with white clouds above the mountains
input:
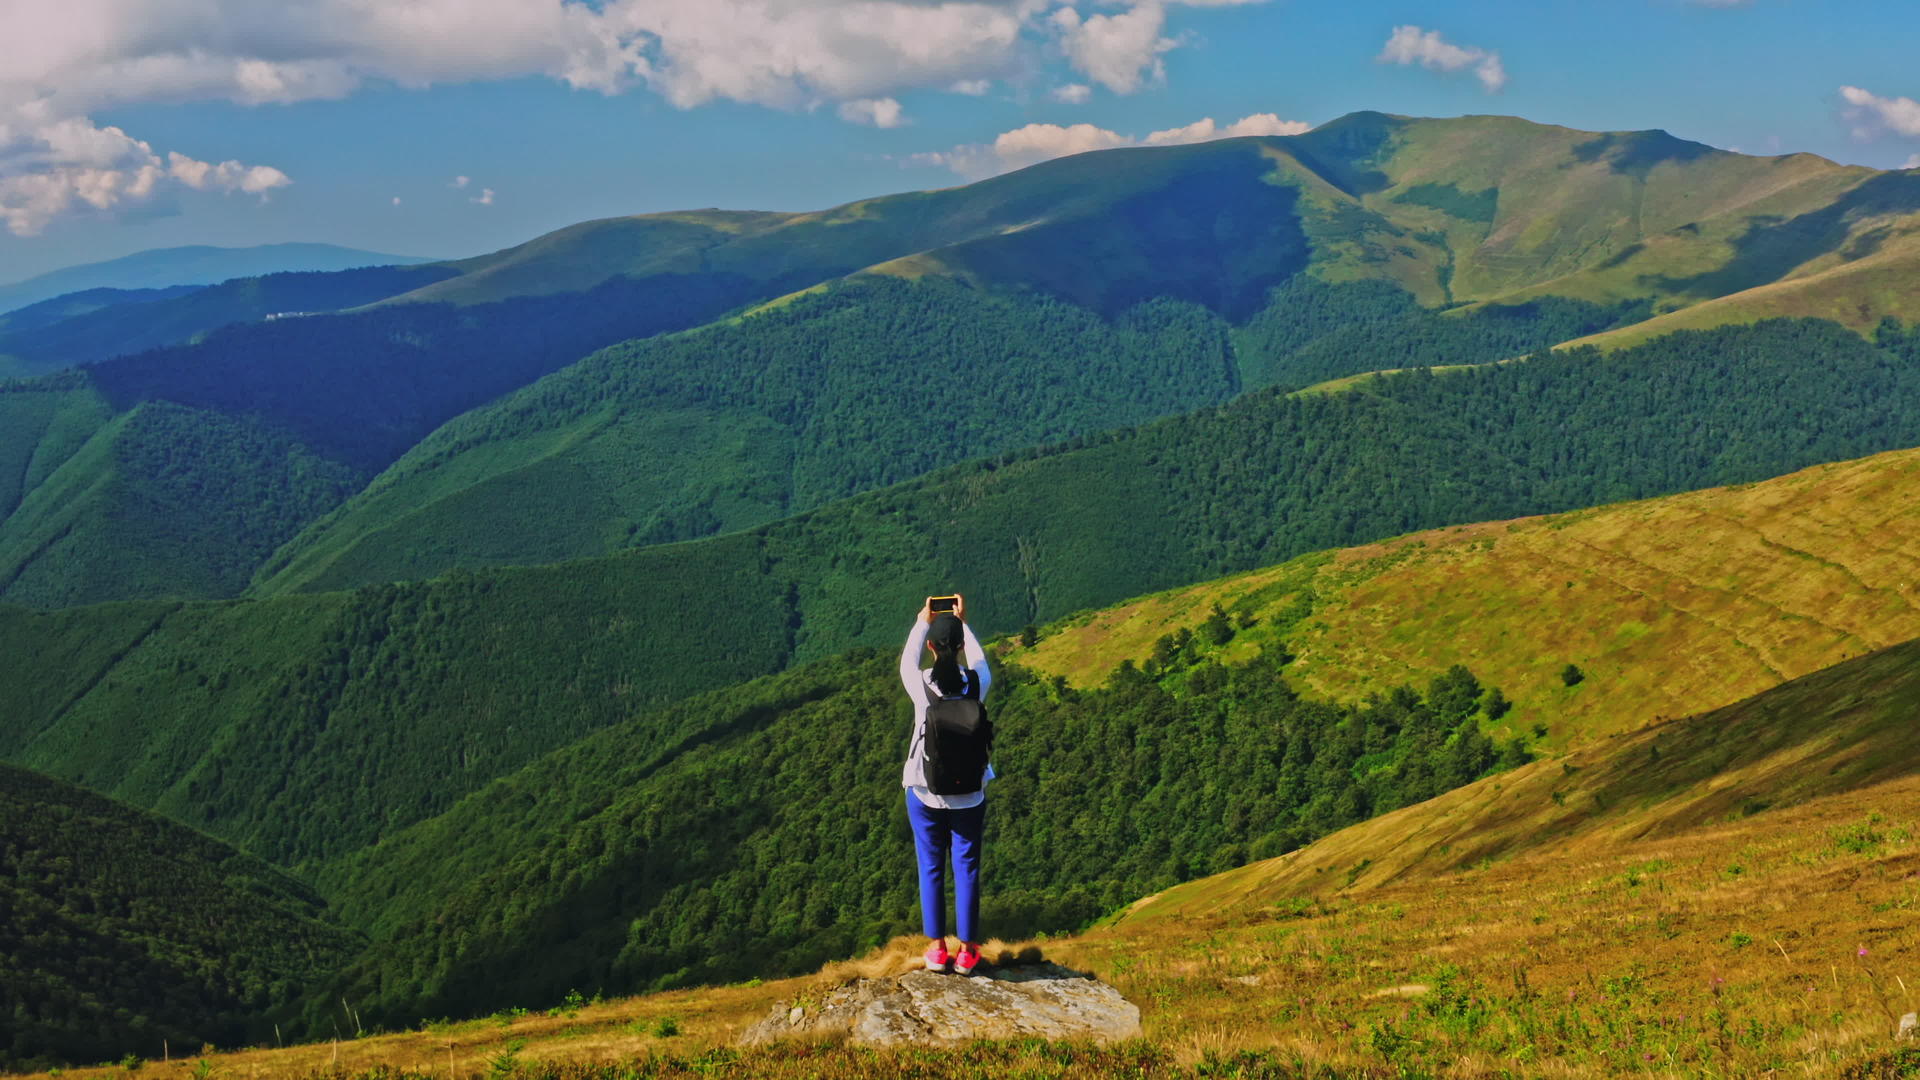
(143, 124)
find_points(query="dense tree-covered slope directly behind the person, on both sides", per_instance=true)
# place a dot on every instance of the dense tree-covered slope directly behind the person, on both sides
(759, 831)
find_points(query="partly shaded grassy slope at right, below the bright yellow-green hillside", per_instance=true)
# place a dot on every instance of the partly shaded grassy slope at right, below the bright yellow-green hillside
(1835, 731)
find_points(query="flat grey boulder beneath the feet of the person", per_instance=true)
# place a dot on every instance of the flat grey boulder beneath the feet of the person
(924, 1008)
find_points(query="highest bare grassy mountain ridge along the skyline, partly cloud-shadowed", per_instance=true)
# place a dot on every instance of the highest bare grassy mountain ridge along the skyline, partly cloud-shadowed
(1454, 210)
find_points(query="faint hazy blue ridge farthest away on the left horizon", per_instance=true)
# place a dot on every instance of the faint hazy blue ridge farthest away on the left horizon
(197, 264)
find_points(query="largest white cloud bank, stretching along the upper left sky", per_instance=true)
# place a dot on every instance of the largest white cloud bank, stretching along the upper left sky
(66, 61)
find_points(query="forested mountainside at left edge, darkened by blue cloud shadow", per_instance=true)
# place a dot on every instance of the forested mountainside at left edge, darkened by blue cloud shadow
(174, 474)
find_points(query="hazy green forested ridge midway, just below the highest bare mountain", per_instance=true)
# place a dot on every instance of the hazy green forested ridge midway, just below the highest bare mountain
(865, 385)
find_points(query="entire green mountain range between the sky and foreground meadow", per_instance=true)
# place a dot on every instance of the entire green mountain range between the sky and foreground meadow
(1314, 487)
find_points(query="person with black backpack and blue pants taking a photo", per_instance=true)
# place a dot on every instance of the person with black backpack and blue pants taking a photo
(948, 773)
